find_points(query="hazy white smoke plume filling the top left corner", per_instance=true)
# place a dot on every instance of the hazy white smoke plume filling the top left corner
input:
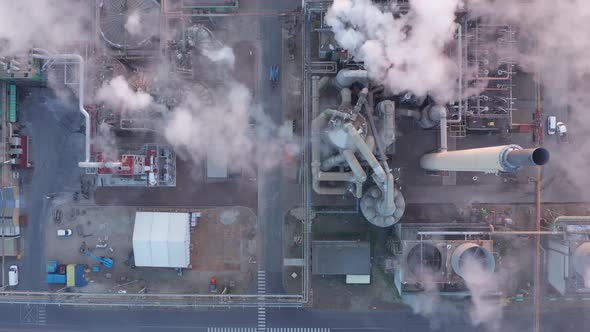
(46, 24)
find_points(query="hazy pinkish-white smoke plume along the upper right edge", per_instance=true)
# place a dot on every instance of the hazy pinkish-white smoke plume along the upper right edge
(560, 52)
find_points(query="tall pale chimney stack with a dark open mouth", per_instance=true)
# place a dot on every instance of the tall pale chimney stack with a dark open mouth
(503, 158)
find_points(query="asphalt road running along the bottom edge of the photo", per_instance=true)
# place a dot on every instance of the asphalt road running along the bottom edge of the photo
(53, 318)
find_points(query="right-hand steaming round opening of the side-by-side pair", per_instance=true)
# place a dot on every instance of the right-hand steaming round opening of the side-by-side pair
(473, 262)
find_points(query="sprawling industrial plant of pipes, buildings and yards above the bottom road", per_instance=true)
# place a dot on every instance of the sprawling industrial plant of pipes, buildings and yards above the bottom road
(207, 153)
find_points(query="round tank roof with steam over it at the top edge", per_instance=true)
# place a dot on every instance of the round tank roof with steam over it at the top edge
(128, 23)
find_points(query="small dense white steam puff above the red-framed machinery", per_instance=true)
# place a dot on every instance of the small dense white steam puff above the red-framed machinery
(117, 94)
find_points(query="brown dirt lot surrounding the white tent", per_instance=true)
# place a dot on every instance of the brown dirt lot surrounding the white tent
(224, 245)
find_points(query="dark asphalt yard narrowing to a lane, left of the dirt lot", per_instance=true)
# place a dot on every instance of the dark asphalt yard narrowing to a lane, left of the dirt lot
(56, 148)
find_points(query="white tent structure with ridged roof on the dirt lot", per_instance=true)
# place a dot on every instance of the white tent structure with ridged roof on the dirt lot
(161, 239)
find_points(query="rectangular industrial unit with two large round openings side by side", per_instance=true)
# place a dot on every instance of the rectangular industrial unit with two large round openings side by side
(448, 258)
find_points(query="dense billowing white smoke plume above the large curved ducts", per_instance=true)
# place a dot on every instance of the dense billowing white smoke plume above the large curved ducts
(403, 53)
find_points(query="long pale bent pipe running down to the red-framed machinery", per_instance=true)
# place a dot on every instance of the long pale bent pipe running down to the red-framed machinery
(45, 55)
